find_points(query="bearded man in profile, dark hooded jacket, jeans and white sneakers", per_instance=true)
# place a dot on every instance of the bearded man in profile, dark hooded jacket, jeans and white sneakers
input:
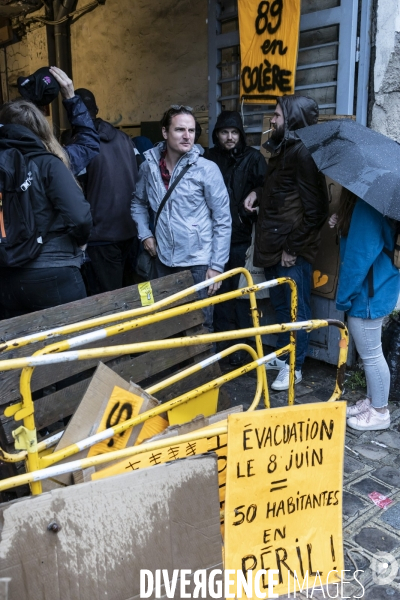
(293, 208)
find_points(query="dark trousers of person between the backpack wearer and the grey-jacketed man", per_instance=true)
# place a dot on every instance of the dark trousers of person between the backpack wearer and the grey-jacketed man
(105, 270)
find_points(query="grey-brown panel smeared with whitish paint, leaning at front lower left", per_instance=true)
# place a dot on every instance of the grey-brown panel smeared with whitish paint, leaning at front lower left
(161, 518)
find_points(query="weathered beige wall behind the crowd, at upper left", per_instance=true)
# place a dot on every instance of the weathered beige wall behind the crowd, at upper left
(137, 56)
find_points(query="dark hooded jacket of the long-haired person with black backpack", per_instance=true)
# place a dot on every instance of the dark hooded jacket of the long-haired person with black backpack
(62, 214)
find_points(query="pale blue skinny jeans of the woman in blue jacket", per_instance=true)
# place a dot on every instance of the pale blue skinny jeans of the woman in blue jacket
(367, 334)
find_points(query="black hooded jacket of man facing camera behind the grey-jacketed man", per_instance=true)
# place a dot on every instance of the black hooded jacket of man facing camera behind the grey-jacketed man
(243, 170)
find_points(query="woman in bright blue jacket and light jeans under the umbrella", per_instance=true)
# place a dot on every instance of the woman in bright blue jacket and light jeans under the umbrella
(368, 291)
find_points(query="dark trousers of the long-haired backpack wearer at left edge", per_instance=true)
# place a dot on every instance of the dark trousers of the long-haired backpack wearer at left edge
(26, 290)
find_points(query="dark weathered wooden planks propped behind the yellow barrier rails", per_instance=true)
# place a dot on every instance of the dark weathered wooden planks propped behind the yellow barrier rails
(63, 402)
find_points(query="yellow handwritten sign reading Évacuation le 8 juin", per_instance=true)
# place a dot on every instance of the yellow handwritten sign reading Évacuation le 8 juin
(283, 506)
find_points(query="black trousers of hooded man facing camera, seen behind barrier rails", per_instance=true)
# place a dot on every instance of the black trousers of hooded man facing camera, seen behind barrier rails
(233, 314)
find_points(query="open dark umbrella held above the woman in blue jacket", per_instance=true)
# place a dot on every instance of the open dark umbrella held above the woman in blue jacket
(362, 160)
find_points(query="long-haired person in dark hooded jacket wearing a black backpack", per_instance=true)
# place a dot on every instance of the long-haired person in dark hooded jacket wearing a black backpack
(62, 217)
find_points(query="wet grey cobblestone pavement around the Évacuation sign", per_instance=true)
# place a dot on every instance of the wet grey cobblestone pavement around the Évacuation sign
(372, 464)
